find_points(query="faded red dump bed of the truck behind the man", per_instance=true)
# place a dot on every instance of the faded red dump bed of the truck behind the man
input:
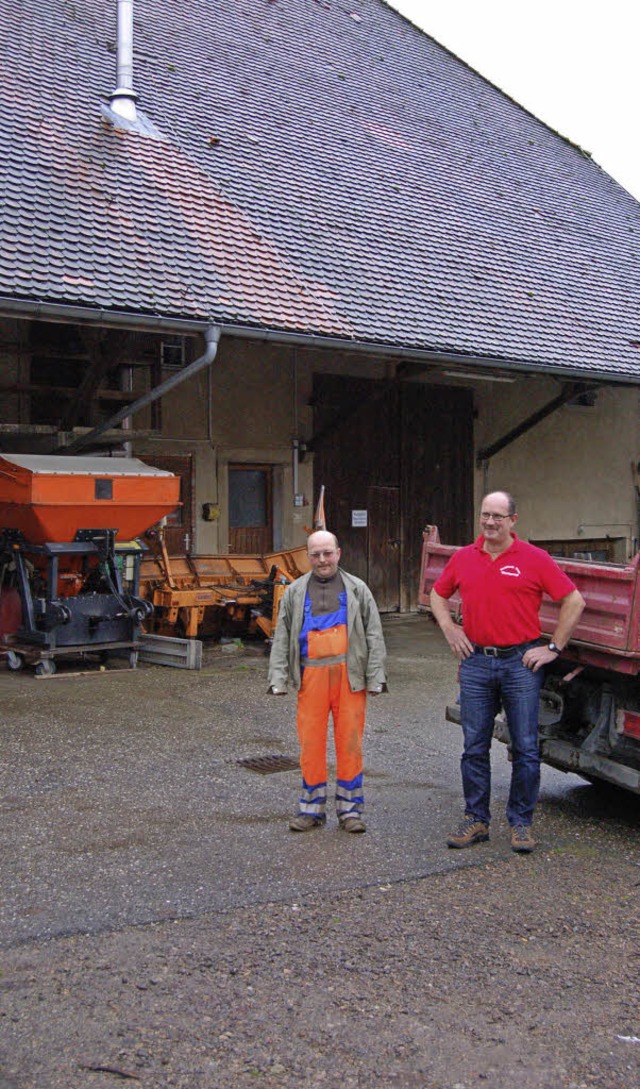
(609, 632)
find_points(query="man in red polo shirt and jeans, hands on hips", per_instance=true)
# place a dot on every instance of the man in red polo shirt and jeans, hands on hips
(501, 581)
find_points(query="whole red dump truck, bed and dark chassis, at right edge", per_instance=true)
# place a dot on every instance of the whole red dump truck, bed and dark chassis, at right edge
(589, 720)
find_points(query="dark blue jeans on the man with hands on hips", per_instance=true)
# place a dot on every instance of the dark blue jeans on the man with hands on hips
(486, 684)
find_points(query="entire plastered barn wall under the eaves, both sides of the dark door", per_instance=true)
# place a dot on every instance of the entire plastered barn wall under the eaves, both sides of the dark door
(575, 475)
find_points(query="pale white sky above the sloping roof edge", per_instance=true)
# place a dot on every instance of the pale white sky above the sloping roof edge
(572, 64)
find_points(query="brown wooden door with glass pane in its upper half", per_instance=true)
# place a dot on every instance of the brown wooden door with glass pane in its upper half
(251, 509)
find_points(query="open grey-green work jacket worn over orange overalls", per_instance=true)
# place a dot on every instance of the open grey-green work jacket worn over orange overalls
(366, 651)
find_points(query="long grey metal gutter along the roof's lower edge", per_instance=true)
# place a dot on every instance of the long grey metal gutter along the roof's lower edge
(150, 323)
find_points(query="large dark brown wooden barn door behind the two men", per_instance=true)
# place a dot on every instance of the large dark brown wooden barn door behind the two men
(392, 457)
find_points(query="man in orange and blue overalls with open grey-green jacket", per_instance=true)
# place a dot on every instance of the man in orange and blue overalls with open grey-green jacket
(329, 643)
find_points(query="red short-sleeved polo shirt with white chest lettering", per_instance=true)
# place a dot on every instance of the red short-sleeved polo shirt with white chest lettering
(501, 598)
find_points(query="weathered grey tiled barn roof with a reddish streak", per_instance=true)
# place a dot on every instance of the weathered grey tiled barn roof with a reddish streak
(307, 166)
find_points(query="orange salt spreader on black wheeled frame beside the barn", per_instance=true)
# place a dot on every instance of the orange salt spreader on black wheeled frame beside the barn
(69, 560)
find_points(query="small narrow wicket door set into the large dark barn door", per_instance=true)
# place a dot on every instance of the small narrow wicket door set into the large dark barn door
(384, 548)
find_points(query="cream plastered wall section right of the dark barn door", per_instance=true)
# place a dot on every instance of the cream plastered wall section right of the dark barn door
(575, 474)
